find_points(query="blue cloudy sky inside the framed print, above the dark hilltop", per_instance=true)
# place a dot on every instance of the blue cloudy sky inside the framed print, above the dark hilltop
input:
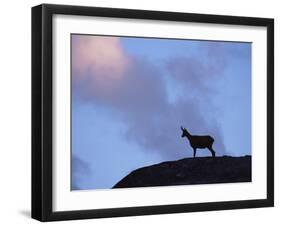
(131, 95)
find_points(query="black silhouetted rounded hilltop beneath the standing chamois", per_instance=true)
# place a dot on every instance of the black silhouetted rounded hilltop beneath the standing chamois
(200, 170)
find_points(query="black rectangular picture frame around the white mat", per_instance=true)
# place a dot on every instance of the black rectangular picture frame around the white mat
(42, 107)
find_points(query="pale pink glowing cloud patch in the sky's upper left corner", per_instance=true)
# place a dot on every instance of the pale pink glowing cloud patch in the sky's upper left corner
(99, 55)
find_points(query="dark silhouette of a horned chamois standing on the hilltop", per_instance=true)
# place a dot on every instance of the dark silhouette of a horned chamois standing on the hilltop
(199, 142)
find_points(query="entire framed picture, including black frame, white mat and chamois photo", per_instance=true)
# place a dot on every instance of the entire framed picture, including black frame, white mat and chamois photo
(139, 112)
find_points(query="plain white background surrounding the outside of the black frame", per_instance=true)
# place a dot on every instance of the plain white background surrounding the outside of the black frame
(15, 119)
